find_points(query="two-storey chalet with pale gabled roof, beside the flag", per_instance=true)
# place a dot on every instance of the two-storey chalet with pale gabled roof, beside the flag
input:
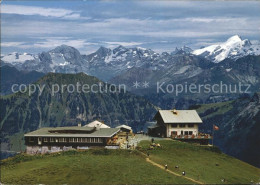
(172, 123)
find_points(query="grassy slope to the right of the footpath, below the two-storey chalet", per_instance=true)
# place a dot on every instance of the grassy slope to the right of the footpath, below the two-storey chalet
(202, 163)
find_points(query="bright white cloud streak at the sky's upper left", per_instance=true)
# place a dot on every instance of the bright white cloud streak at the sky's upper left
(41, 11)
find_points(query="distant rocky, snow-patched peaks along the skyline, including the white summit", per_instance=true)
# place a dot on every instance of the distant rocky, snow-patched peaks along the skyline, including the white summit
(108, 63)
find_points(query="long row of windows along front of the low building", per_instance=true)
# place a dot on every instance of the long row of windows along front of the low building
(66, 140)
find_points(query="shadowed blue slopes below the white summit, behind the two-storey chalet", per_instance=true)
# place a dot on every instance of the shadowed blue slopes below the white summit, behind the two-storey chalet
(190, 69)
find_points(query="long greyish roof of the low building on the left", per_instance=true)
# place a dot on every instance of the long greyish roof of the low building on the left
(73, 132)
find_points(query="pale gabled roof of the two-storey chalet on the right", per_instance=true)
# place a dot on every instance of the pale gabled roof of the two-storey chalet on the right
(181, 116)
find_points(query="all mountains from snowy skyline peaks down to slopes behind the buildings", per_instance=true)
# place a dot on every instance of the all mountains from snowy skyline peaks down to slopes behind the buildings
(232, 62)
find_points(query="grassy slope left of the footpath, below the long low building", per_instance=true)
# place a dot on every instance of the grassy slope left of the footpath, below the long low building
(89, 167)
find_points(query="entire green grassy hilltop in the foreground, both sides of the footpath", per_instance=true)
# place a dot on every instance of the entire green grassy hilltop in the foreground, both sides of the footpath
(101, 166)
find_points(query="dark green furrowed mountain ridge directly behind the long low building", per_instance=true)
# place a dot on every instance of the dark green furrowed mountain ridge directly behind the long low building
(22, 113)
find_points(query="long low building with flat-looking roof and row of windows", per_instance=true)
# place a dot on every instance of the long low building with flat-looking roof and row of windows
(56, 139)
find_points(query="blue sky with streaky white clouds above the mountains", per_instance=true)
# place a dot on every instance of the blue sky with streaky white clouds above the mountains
(160, 25)
